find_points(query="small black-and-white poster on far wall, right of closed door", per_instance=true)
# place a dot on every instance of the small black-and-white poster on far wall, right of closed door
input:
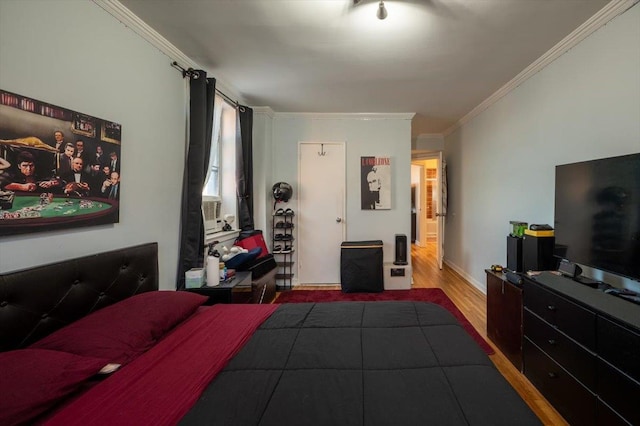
(375, 183)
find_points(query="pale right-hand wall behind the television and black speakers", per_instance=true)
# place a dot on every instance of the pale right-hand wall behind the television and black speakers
(501, 164)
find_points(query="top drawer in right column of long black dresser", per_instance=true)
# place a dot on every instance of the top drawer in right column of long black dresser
(620, 346)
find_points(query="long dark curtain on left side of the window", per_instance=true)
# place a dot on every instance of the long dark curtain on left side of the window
(201, 96)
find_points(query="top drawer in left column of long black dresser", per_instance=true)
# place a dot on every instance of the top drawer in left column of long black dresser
(572, 319)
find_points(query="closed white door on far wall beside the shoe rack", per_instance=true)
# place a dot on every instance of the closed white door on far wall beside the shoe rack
(320, 216)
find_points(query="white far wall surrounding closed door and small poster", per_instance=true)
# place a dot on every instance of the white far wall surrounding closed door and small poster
(379, 135)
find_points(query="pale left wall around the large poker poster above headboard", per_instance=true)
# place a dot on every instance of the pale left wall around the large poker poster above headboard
(74, 54)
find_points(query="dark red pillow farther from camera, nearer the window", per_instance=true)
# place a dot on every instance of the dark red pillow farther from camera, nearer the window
(121, 332)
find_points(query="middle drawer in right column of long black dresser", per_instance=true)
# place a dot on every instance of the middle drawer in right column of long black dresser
(619, 391)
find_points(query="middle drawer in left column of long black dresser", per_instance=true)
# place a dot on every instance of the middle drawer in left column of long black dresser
(573, 357)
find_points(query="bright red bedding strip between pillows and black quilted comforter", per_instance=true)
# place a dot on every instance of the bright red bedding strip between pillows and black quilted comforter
(160, 386)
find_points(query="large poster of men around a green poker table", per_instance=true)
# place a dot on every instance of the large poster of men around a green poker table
(54, 172)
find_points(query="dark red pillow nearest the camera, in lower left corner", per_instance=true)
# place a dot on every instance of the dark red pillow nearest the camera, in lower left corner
(33, 380)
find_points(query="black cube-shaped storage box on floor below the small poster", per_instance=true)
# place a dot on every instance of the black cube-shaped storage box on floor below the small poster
(361, 268)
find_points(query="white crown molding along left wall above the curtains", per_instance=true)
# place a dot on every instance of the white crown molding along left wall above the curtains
(138, 26)
